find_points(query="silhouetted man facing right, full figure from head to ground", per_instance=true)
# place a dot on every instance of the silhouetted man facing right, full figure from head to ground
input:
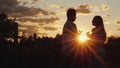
(69, 37)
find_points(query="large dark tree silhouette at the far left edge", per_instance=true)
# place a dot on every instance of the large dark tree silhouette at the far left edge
(8, 28)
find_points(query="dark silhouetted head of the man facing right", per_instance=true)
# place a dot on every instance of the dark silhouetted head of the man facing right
(71, 14)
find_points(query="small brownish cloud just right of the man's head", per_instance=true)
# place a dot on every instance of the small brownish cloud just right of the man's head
(84, 9)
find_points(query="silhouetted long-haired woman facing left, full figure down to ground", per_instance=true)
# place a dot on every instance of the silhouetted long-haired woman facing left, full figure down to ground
(98, 38)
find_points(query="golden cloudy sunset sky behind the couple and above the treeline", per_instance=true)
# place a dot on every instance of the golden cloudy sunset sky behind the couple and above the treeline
(47, 17)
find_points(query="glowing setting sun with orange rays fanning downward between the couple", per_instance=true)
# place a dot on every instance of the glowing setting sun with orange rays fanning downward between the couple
(82, 50)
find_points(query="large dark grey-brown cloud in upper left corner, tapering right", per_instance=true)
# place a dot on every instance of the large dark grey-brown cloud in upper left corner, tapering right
(13, 8)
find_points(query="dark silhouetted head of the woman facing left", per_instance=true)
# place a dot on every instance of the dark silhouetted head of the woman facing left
(97, 21)
